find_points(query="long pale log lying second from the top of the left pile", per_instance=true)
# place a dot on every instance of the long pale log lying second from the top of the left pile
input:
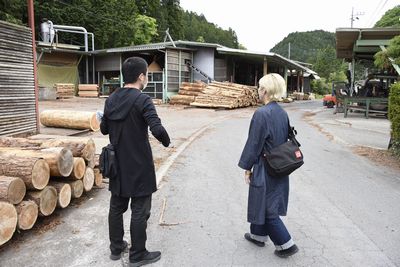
(59, 159)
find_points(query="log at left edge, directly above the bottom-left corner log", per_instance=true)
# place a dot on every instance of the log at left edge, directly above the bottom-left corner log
(12, 189)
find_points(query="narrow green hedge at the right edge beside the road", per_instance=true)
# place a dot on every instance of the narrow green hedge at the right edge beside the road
(394, 116)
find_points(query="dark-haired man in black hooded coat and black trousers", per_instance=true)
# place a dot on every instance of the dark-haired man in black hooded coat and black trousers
(128, 113)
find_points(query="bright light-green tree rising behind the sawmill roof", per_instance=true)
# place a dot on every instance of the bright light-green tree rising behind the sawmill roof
(145, 29)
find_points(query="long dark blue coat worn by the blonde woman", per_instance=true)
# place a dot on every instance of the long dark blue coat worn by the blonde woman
(268, 196)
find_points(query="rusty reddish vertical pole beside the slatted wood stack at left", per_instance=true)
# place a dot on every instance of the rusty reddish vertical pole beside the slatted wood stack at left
(31, 19)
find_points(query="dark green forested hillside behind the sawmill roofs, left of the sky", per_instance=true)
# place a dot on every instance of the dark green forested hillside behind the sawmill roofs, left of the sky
(122, 22)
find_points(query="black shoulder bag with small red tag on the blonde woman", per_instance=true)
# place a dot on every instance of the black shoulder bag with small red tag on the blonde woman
(286, 158)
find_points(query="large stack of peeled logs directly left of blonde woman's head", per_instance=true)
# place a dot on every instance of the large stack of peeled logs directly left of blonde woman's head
(226, 95)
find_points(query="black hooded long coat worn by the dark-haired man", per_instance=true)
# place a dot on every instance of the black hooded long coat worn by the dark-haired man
(128, 113)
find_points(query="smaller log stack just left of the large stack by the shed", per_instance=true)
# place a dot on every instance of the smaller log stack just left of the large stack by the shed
(187, 93)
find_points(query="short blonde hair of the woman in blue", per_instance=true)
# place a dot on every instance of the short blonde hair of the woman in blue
(272, 86)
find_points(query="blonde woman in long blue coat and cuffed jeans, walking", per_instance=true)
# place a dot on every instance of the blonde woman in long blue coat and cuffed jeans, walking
(268, 196)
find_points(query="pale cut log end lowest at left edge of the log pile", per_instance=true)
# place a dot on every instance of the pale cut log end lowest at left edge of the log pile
(8, 222)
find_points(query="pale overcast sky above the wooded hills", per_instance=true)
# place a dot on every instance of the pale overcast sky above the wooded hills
(260, 24)
